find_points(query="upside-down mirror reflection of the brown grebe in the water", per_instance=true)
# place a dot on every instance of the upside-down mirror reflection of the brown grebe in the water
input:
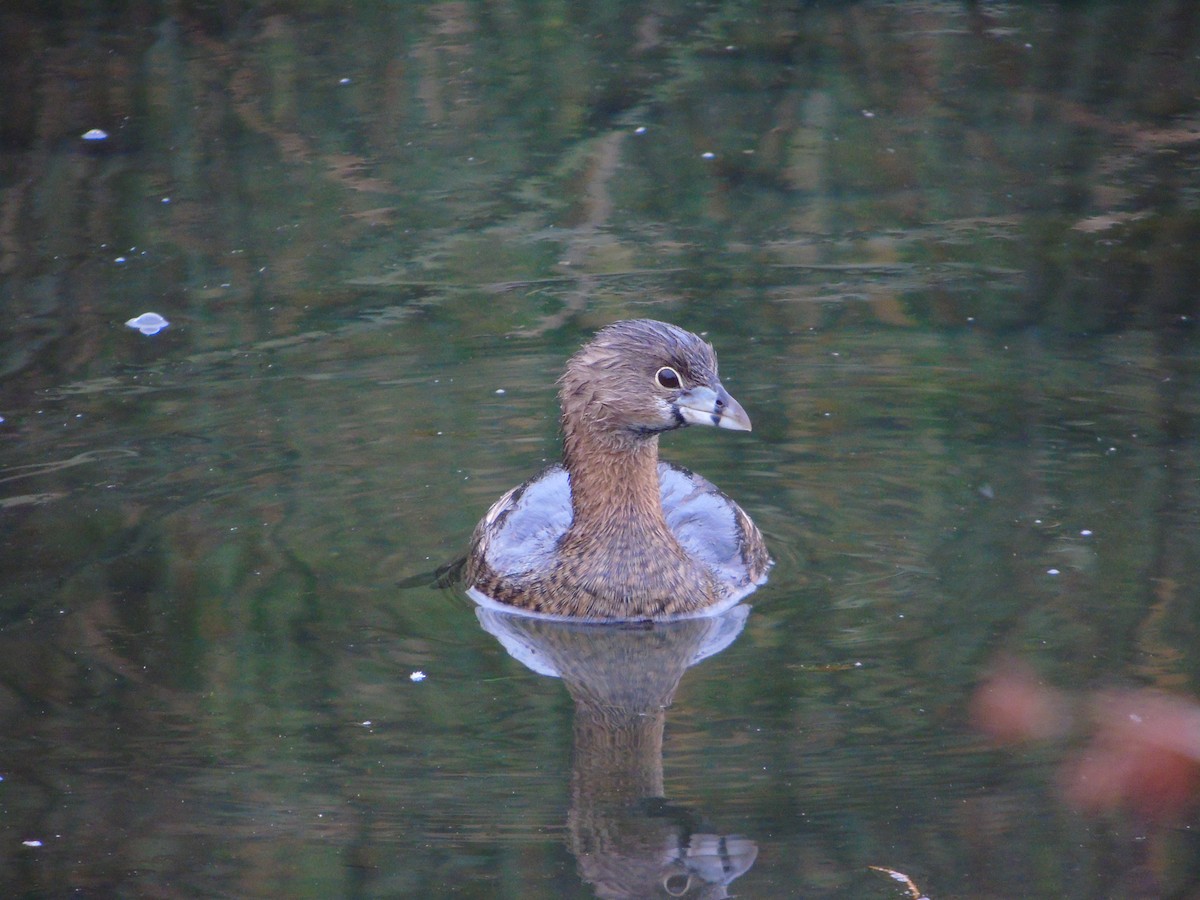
(628, 839)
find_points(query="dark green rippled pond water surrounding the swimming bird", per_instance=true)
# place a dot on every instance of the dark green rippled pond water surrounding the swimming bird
(949, 256)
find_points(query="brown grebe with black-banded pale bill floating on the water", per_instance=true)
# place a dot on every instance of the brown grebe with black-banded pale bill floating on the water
(593, 538)
